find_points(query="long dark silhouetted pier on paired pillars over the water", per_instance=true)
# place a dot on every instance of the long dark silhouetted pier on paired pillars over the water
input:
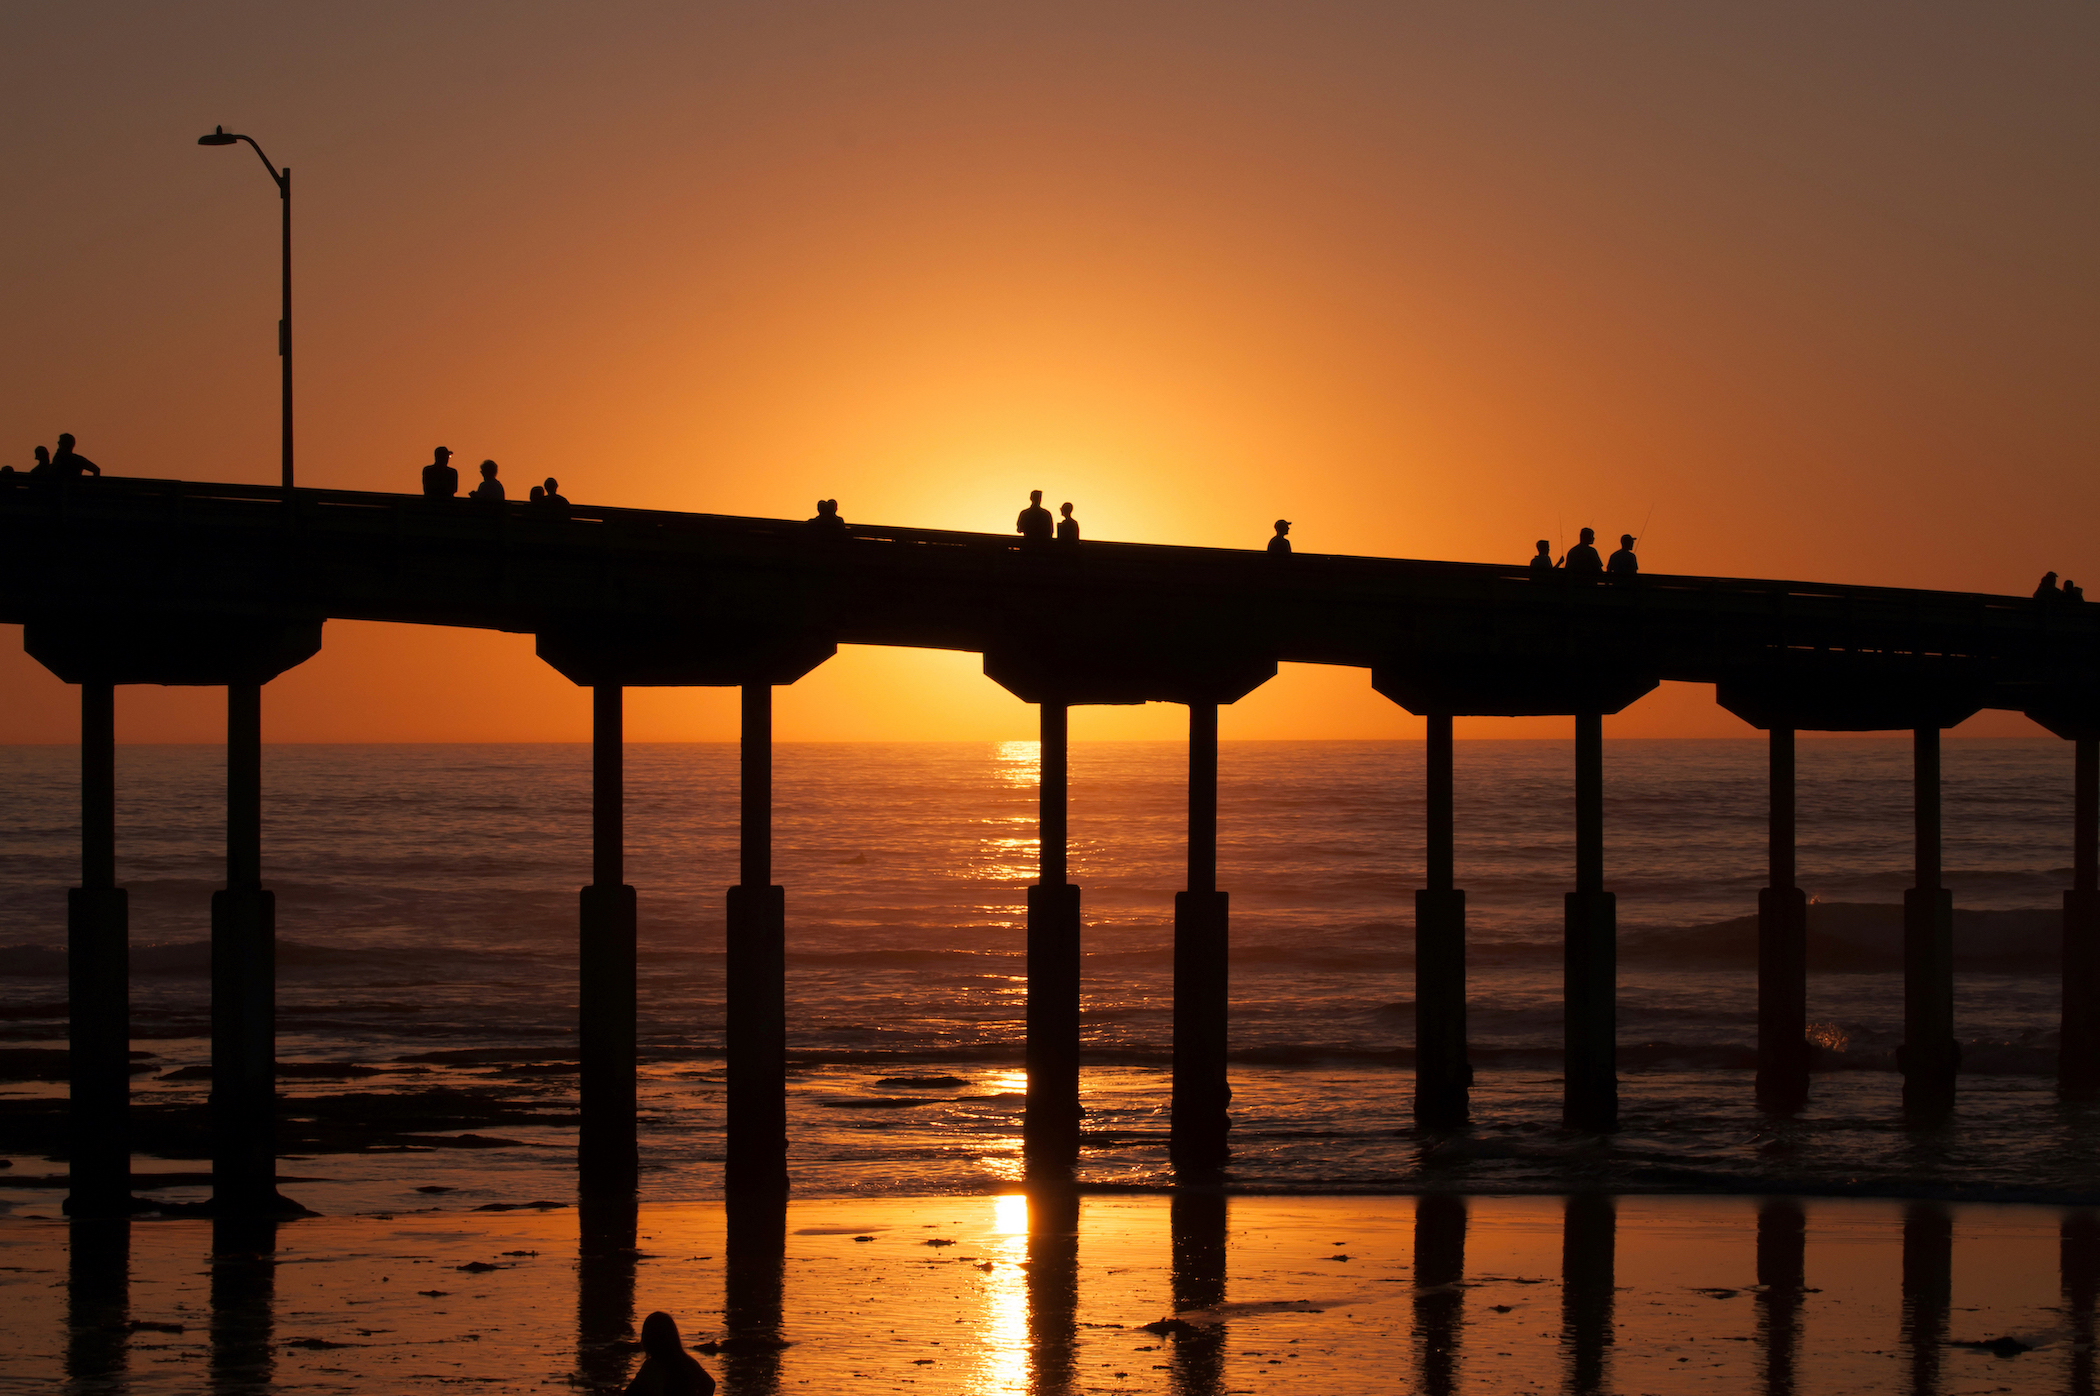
(171, 583)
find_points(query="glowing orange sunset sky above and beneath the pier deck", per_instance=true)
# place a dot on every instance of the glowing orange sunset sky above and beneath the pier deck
(1815, 284)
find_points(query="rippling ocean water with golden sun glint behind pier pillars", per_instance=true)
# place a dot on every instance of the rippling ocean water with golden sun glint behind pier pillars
(427, 965)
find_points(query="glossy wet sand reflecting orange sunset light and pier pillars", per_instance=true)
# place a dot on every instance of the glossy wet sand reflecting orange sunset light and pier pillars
(1051, 1296)
